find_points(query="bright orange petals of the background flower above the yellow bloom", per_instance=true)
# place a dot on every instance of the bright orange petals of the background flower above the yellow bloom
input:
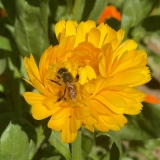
(109, 11)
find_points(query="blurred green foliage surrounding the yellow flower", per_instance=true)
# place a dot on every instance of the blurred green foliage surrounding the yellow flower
(27, 26)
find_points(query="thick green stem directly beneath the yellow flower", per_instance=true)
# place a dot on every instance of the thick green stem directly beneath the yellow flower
(76, 147)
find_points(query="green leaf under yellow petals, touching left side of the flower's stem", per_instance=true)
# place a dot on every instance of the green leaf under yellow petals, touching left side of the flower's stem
(56, 141)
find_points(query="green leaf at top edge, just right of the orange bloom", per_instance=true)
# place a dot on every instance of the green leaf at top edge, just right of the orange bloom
(130, 14)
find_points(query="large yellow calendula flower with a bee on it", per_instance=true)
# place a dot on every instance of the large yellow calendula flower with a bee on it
(88, 79)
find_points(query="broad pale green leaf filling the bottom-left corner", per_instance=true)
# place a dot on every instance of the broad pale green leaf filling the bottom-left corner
(14, 143)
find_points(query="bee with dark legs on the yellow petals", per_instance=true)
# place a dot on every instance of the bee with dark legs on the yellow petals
(68, 80)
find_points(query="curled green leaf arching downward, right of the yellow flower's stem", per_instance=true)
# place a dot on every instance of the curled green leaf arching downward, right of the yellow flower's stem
(116, 147)
